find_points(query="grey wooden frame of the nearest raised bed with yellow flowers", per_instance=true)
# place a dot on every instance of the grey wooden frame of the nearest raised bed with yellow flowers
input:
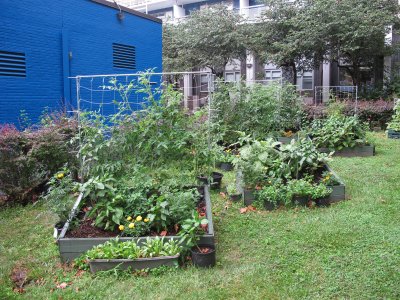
(71, 248)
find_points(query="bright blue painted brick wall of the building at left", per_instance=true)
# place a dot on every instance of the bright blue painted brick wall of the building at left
(66, 38)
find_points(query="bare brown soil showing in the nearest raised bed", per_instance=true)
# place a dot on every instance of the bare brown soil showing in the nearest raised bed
(86, 228)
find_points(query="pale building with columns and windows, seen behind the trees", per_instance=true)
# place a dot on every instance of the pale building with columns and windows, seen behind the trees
(327, 75)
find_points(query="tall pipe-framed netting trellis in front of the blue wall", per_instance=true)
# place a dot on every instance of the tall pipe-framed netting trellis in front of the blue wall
(133, 94)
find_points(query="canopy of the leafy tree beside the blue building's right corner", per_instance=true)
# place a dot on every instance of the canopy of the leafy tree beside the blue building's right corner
(209, 38)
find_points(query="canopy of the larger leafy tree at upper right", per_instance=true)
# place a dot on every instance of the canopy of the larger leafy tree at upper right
(301, 34)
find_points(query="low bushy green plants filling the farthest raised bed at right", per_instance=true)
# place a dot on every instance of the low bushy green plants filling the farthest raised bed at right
(338, 132)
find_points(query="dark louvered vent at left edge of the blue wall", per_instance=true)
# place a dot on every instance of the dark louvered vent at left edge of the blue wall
(12, 64)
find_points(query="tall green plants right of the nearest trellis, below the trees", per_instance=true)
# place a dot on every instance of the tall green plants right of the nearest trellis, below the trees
(258, 111)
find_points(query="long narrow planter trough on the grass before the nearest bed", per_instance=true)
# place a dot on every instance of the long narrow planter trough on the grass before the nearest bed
(97, 265)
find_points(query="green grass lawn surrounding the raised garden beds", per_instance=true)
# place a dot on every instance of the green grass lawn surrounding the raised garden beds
(349, 250)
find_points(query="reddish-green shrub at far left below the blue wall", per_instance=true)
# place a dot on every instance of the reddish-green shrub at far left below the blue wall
(29, 158)
